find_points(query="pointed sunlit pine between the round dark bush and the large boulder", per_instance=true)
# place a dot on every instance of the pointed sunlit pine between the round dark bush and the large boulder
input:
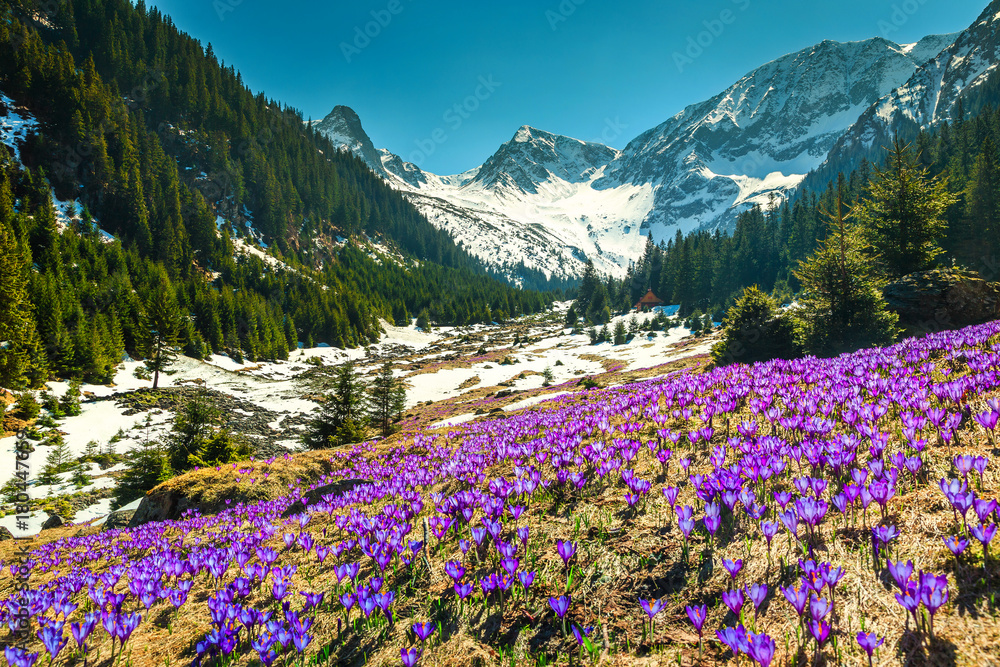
(842, 304)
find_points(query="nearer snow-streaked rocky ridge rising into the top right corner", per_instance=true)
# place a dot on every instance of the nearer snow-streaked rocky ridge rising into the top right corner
(930, 96)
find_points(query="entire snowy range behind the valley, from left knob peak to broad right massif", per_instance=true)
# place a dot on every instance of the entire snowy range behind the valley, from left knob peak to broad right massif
(548, 202)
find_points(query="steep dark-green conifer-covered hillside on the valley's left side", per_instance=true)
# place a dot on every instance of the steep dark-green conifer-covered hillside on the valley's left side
(158, 144)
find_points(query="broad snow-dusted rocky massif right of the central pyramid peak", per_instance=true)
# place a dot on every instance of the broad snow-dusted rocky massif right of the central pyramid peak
(761, 136)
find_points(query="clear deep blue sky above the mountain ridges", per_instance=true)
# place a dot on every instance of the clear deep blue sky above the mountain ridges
(592, 69)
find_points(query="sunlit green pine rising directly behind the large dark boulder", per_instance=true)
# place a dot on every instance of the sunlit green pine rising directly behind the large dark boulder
(903, 214)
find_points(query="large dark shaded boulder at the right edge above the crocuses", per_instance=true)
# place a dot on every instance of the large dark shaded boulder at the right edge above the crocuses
(943, 299)
